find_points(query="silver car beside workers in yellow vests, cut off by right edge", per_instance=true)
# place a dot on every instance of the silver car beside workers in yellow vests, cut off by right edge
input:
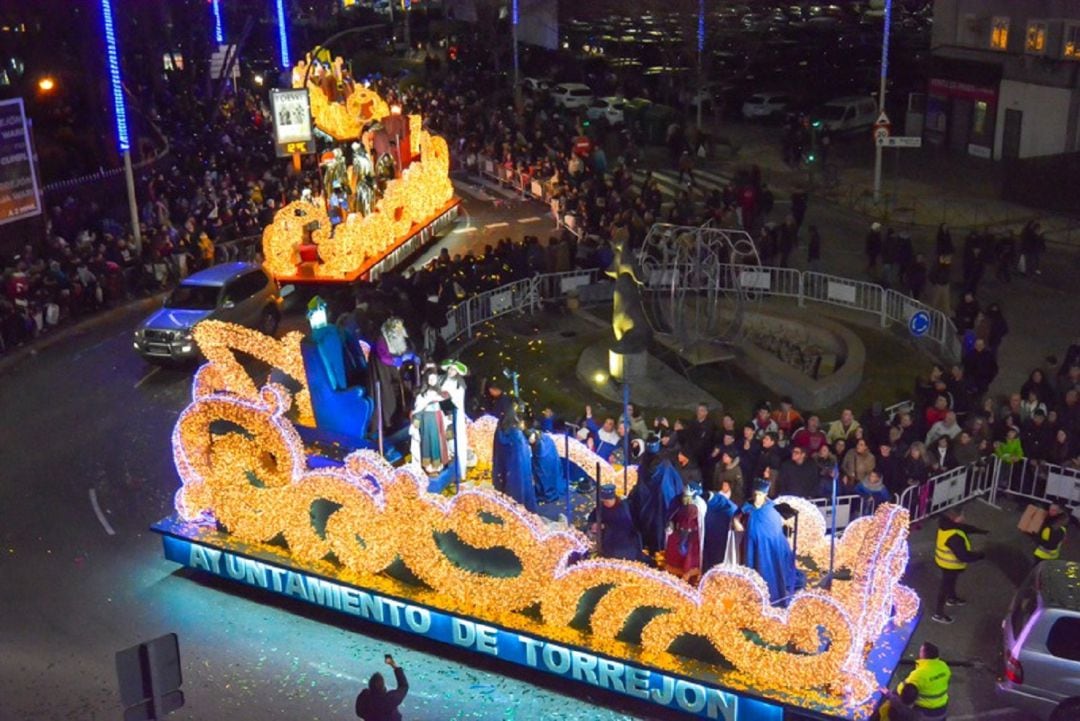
(1042, 640)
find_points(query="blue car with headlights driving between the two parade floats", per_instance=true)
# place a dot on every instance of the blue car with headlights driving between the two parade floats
(237, 293)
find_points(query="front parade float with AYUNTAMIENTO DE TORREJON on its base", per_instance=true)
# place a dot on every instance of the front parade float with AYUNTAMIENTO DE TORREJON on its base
(282, 489)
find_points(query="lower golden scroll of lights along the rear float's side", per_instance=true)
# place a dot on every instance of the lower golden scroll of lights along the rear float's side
(413, 199)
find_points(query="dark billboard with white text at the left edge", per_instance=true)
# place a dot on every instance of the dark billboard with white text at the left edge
(19, 178)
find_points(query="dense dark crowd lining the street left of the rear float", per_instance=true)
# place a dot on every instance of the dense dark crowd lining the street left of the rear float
(219, 183)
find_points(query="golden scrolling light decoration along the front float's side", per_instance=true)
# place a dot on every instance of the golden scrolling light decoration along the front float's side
(251, 475)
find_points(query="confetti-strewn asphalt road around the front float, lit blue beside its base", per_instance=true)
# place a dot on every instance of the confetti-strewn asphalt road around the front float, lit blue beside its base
(86, 429)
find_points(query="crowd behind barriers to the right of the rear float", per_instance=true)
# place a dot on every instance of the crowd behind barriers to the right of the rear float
(588, 170)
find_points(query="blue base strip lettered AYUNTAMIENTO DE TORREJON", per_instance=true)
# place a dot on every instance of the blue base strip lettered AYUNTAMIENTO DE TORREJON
(691, 697)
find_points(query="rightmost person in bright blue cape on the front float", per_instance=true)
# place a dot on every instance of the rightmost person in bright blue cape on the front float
(767, 549)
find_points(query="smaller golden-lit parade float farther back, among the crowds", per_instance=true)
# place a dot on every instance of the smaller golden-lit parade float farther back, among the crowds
(387, 191)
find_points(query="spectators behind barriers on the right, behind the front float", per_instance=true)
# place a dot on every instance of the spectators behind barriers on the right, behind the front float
(879, 454)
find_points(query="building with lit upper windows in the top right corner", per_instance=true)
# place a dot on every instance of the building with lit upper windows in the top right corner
(1006, 78)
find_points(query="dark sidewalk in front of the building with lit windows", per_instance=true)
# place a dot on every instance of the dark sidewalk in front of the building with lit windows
(922, 187)
